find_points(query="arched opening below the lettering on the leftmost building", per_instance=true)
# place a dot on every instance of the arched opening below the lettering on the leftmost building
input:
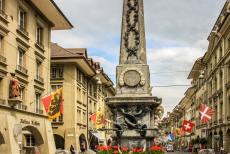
(31, 140)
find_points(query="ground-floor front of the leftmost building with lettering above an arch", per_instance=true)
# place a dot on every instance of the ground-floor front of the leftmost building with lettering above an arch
(25, 133)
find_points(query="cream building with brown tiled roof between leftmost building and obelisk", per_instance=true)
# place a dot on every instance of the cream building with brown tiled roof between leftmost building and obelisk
(85, 85)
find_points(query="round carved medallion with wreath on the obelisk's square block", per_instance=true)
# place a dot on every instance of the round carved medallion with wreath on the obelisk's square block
(131, 77)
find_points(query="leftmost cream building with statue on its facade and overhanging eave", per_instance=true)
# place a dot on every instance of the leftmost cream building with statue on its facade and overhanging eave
(25, 32)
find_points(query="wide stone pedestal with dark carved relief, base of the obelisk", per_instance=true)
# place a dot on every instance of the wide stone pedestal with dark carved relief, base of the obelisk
(134, 119)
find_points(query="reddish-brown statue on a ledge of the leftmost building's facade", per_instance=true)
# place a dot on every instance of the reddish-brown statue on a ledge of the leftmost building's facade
(15, 88)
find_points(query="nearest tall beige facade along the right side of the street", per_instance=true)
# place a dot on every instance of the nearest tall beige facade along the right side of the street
(210, 76)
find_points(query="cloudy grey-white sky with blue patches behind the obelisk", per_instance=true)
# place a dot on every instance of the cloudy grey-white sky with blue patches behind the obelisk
(176, 35)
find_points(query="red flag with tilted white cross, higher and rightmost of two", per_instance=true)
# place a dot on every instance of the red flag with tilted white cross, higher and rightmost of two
(205, 113)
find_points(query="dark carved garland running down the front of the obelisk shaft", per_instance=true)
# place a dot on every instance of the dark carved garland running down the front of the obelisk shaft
(132, 32)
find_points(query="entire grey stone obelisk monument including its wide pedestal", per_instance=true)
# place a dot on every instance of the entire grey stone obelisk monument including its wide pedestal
(133, 105)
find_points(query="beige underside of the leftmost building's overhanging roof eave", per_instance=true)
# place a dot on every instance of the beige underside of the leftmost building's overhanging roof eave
(52, 12)
